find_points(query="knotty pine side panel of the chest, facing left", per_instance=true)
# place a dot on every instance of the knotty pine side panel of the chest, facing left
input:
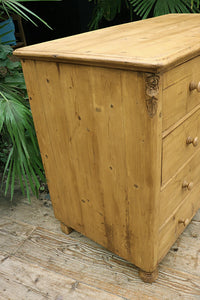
(101, 151)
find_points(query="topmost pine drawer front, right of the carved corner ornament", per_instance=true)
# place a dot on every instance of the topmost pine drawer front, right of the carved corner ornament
(178, 98)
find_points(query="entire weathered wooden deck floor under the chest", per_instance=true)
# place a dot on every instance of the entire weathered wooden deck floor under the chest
(37, 261)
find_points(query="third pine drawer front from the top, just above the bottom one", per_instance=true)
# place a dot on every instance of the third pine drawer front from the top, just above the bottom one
(180, 187)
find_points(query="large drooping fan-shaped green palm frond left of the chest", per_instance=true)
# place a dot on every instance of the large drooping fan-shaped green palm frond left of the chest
(23, 162)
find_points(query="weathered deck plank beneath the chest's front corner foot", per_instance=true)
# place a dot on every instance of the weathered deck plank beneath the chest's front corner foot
(102, 269)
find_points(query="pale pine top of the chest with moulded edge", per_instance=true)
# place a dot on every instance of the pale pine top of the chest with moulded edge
(154, 44)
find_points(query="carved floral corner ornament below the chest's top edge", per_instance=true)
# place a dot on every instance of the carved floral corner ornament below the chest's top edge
(152, 90)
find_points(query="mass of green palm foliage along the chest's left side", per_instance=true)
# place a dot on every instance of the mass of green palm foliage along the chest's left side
(20, 156)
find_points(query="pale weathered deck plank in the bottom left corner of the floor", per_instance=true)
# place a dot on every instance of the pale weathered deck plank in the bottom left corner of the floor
(35, 282)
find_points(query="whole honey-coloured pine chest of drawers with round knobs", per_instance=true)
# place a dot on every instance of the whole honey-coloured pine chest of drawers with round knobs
(117, 115)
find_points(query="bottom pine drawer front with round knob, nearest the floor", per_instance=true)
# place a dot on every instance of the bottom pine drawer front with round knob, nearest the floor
(177, 222)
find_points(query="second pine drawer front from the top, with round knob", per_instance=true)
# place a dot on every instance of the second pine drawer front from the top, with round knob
(180, 145)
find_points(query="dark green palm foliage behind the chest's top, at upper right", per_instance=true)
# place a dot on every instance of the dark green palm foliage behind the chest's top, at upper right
(108, 9)
